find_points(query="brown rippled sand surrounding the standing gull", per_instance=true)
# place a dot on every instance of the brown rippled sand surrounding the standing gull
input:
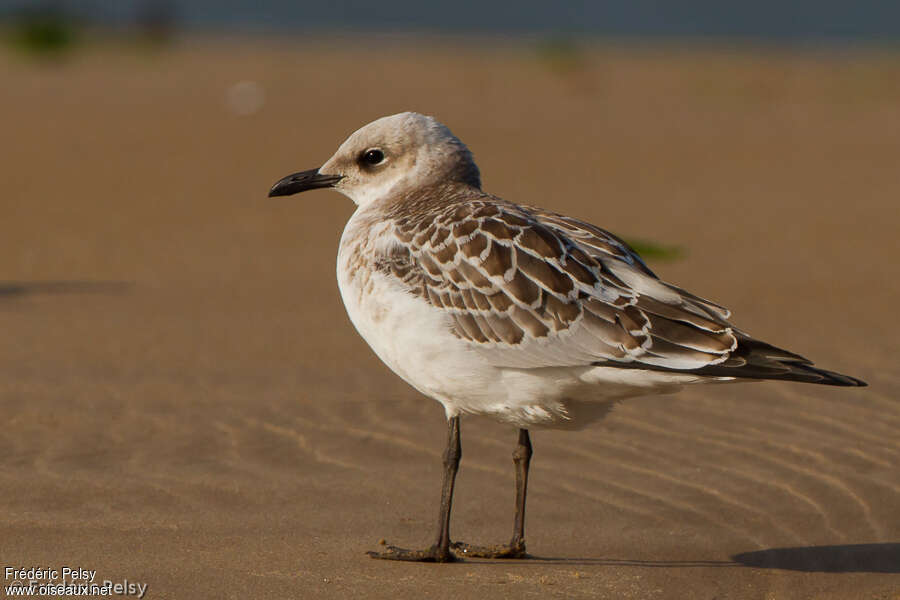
(185, 404)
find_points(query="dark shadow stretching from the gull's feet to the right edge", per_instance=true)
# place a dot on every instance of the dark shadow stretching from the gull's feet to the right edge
(847, 558)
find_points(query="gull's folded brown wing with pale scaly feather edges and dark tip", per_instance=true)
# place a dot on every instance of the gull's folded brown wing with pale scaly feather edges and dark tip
(529, 288)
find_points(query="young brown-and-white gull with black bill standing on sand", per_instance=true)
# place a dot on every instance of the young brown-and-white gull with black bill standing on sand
(514, 312)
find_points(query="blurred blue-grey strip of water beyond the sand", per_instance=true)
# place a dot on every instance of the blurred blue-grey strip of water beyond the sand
(766, 19)
